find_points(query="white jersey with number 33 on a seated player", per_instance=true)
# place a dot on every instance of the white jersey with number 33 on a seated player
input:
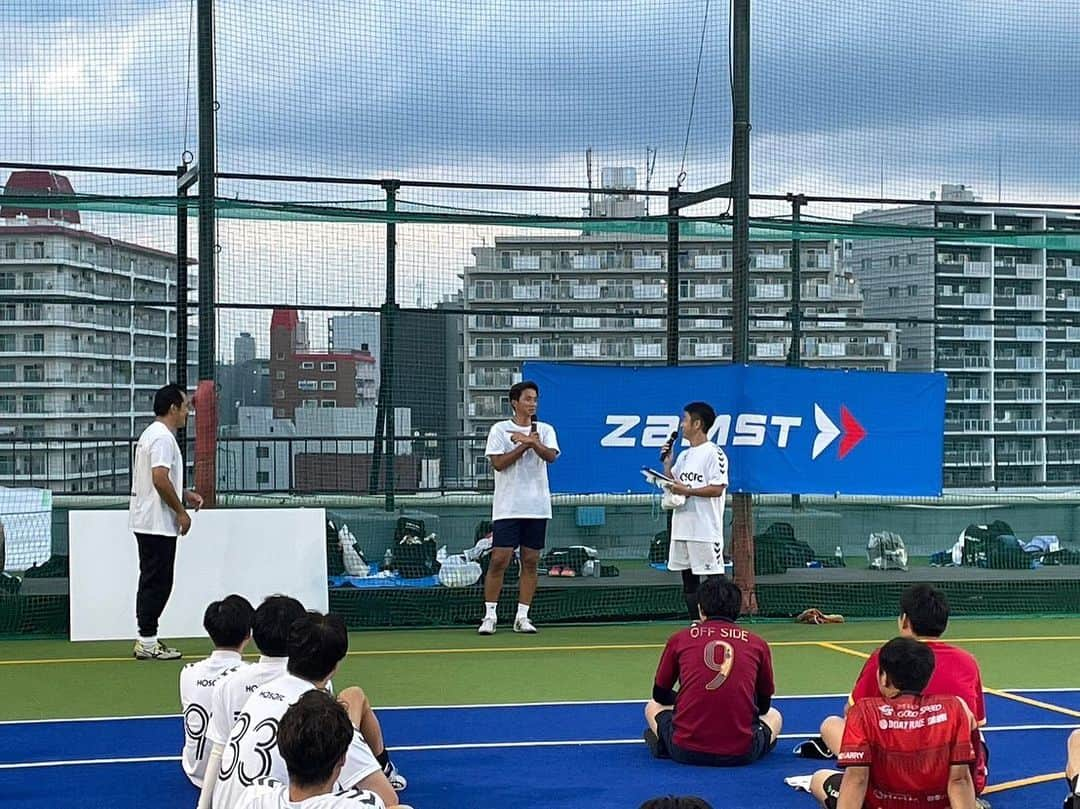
(252, 750)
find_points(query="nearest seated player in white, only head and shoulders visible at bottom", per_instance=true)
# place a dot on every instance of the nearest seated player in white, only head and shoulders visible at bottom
(314, 737)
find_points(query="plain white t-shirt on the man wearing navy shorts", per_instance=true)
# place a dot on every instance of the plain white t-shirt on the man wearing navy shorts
(521, 491)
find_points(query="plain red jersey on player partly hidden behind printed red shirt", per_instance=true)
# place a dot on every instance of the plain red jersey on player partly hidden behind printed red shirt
(956, 673)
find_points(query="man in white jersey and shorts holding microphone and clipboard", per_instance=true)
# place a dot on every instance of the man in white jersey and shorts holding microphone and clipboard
(701, 477)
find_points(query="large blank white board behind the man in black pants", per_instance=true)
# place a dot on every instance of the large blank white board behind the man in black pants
(254, 552)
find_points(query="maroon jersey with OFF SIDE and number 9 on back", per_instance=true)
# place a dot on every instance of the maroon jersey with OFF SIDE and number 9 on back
(724, 672)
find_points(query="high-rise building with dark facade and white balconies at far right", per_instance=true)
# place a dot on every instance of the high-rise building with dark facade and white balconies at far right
(1006, 330)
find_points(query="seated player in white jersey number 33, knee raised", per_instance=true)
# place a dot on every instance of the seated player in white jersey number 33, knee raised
(317, 645)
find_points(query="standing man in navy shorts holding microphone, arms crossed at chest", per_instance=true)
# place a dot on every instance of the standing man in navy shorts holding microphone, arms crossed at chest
(520, 450)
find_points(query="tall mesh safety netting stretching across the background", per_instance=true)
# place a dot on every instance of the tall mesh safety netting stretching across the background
(414, 199)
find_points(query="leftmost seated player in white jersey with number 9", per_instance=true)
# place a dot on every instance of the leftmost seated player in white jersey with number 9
(228, 623)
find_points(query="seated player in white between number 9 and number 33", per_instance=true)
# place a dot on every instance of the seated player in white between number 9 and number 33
(271, 627)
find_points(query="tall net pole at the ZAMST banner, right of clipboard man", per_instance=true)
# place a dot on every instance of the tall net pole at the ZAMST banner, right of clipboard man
(742, 527)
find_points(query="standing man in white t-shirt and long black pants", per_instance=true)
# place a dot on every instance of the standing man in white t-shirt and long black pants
(157, 516)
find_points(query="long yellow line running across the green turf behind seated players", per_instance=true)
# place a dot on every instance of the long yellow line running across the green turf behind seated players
(585, 648)
